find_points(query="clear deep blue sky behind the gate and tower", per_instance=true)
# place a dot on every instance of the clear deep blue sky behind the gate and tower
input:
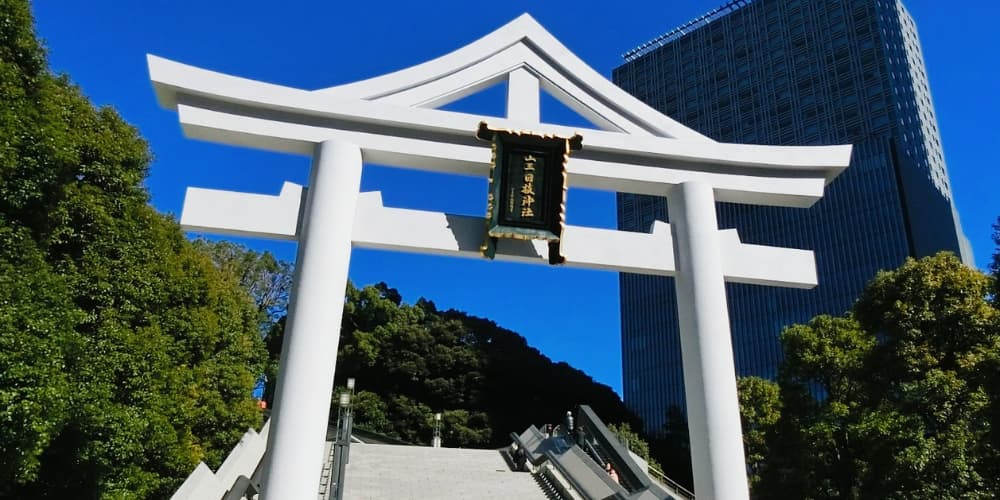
(102, 45)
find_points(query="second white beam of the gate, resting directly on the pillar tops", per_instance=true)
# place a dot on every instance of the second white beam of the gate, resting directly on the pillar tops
(650, 176)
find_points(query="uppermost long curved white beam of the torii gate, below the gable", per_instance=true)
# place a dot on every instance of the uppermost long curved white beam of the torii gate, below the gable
(175, 81)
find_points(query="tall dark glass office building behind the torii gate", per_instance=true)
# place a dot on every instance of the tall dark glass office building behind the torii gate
(791, 72)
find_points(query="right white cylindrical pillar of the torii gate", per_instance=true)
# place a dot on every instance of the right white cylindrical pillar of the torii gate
(706, 344)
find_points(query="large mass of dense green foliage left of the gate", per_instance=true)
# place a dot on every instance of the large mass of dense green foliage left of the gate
(126, 356)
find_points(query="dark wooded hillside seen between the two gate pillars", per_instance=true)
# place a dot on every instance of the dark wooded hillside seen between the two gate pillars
(411, 361)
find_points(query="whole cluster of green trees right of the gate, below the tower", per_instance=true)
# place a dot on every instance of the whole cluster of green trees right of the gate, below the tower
(897, 399)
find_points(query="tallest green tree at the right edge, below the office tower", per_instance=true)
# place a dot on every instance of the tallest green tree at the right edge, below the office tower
(928, 379)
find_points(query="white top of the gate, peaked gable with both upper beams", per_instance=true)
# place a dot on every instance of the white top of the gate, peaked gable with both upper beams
(392, 118)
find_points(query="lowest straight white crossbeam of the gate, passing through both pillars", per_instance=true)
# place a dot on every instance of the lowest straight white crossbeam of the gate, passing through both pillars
(386, 228)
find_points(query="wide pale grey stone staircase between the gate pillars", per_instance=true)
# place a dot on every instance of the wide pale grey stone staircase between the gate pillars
(377, 472)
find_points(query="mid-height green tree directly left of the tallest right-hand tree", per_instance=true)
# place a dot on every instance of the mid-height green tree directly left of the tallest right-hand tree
(814, 454)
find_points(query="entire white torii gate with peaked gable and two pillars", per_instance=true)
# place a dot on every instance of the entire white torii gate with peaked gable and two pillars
(391, 119)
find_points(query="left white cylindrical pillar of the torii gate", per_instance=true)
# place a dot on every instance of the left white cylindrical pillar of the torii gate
(302, 398)
